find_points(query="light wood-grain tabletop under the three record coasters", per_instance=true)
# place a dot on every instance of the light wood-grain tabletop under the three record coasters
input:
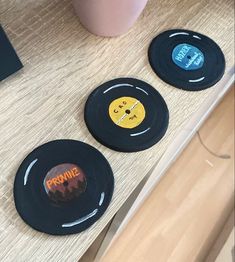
(45, 101)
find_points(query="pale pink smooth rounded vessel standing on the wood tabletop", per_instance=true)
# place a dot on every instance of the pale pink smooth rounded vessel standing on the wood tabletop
(108, 17)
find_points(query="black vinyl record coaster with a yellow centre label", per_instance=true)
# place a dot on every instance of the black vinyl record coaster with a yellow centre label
(126, 115)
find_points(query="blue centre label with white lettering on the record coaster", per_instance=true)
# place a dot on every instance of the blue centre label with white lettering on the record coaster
(187, 57)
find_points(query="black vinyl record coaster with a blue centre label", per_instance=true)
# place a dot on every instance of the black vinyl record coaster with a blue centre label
(186, 59)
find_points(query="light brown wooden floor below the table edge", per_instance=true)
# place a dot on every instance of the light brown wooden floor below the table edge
(181, 219)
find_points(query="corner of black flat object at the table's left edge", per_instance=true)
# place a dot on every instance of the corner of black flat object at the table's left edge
(9, 61)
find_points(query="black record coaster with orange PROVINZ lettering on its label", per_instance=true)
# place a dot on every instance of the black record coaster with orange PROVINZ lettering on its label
(63, 187)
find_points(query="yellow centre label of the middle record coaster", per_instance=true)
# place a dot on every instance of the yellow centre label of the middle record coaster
(127, 112)
